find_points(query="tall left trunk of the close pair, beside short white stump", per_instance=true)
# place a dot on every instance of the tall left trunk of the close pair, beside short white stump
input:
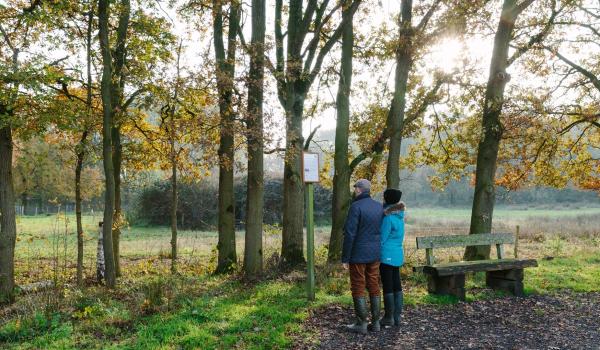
(107, 125)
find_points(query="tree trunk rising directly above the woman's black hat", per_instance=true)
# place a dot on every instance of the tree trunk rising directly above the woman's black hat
(396, 118)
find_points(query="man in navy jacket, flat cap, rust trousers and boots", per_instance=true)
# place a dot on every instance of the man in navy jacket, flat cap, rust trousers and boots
(361, 254)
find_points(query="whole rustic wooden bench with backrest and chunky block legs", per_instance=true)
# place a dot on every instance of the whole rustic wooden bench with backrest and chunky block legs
(449, 278)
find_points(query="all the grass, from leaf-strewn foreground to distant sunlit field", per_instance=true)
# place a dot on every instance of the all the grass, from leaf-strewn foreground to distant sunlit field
(151, 309)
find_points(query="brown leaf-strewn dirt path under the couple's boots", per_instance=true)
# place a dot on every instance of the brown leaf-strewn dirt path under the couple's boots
(564, 321)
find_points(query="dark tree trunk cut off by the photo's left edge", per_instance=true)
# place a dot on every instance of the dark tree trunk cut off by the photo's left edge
(8, 227)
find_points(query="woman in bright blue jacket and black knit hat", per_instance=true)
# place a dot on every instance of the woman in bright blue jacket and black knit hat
(392, 256)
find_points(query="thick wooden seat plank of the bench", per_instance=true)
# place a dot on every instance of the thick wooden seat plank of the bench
(449, 269)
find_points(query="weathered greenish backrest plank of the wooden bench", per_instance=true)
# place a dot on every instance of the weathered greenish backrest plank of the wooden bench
(449, 241)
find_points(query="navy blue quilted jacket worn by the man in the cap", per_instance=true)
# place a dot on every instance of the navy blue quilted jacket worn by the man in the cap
(362, 239)
